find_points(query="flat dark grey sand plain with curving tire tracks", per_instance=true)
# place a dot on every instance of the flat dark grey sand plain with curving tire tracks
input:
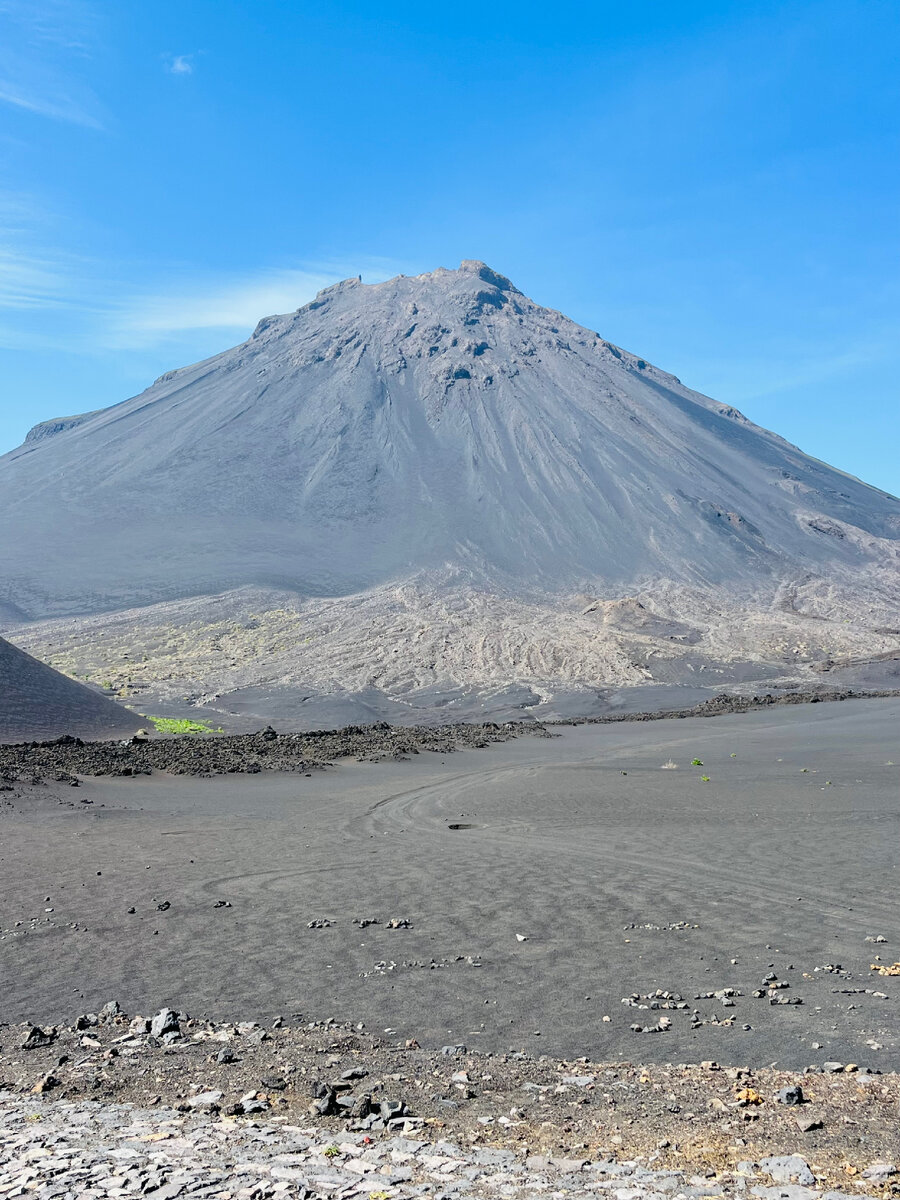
(566, 867)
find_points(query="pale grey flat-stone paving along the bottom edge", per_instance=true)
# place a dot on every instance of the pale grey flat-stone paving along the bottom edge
(81, 1151)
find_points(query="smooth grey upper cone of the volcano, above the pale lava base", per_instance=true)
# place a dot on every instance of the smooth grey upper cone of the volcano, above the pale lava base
(383, 430)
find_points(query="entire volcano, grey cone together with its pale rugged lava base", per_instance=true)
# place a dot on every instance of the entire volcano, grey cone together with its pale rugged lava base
(434, 489)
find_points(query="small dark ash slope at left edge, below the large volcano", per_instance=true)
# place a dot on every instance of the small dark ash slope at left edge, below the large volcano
(39, 703)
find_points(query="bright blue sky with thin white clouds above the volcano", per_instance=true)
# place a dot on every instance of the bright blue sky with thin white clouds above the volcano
(713, 187)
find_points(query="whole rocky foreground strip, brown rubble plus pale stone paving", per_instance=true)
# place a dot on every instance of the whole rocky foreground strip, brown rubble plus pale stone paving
(171, 1107)
